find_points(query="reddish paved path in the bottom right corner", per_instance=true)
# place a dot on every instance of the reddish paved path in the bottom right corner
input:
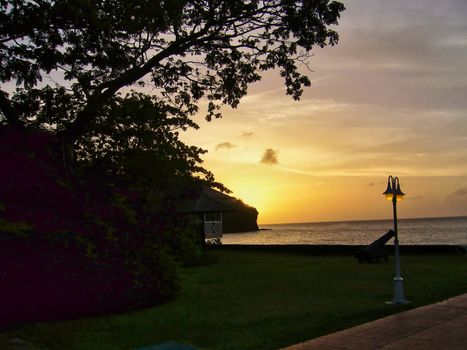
(440, 326)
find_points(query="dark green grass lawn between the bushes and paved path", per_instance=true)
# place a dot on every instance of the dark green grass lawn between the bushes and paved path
(262, 300)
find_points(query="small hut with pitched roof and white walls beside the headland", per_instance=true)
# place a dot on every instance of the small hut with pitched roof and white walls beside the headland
(209, 205)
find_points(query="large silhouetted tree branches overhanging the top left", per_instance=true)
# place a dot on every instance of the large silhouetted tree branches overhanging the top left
(72, 59)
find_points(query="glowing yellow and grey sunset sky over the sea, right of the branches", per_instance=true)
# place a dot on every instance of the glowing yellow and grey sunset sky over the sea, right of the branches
(390, 98)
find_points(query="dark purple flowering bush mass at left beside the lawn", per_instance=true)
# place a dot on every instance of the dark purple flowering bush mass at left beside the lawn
(70, 248)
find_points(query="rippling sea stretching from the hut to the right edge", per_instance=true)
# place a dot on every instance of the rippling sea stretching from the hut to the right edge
(426, 231)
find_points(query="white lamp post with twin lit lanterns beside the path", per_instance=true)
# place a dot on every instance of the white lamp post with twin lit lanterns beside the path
(394, 194)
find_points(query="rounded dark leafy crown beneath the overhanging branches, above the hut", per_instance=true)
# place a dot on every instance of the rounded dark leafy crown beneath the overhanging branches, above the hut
(138, 140)
